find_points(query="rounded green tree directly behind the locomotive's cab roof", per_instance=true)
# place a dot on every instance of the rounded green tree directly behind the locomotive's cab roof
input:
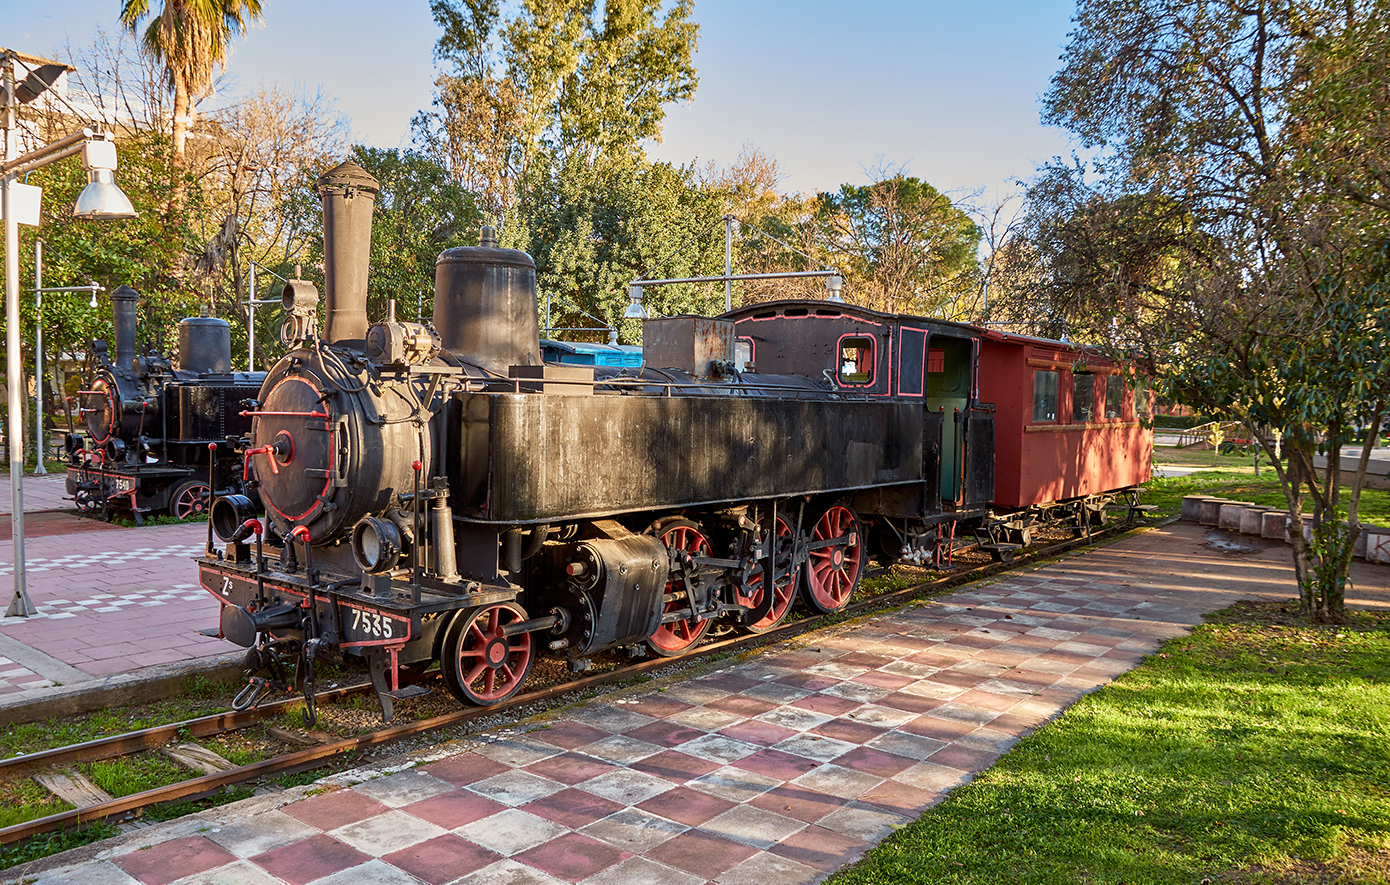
(903, 247)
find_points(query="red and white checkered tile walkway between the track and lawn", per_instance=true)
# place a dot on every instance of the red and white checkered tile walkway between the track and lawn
(771, 772)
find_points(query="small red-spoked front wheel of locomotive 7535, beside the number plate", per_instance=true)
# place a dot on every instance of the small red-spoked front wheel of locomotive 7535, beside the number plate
(482, 666)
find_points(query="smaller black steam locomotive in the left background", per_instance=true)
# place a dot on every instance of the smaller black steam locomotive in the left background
(156, 436)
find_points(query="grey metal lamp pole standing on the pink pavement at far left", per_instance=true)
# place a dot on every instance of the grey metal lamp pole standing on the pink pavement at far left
(20, 606)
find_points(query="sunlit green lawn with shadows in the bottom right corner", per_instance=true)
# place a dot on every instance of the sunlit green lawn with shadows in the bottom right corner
(1252, 751)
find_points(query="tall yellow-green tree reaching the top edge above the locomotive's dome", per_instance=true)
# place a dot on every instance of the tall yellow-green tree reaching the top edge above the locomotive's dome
(562, 78)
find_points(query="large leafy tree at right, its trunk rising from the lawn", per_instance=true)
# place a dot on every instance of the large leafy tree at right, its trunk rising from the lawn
(1267, 302)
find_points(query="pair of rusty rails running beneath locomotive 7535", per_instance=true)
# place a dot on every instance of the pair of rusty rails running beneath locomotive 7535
(326, 752)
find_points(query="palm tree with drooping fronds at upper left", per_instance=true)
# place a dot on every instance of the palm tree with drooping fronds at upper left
(190, 37)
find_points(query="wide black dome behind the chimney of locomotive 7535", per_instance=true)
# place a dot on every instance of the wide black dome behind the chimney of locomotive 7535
(486, 305)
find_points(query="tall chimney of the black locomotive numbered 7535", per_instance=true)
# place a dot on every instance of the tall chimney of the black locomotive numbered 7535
(348, 192)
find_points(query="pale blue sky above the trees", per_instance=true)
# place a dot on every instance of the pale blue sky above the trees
(946, 91)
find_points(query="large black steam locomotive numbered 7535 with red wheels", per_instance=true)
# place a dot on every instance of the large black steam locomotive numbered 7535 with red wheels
(444, 495)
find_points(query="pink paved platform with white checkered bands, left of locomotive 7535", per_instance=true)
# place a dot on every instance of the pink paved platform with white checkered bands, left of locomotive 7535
(111, 604)
